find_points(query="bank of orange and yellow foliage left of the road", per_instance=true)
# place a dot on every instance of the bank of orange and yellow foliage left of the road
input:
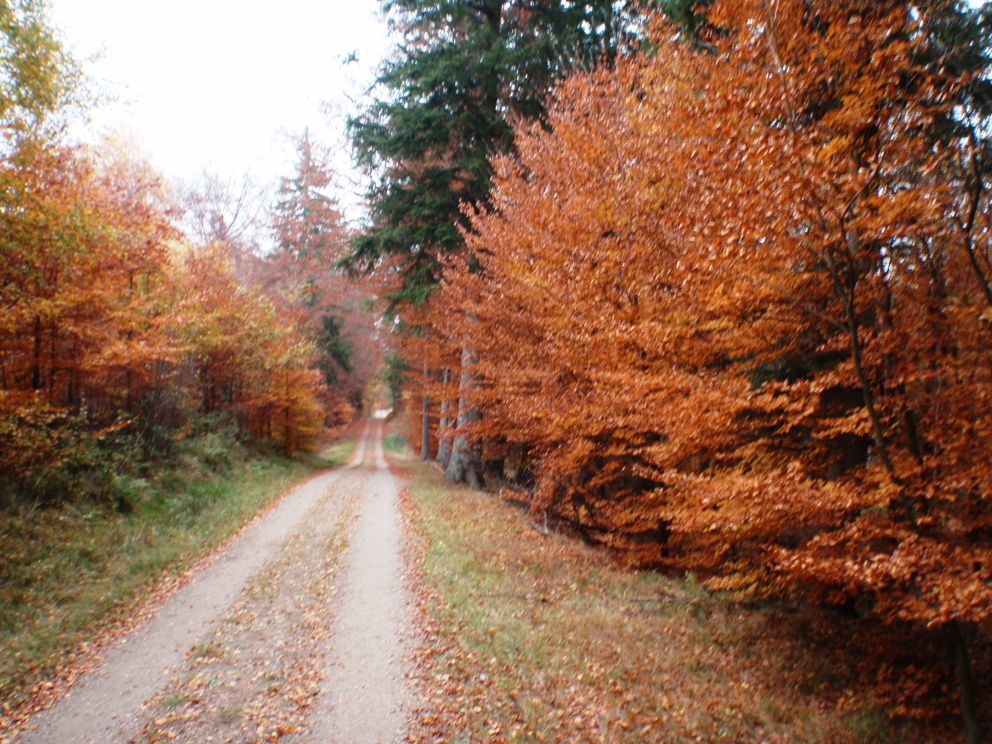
(107, 322)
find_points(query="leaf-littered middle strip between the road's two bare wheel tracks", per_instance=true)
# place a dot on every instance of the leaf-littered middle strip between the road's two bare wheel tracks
(256, 675)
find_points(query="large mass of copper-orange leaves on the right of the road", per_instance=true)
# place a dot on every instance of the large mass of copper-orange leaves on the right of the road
(728, 307)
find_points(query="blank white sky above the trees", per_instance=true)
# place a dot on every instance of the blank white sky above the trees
(218, 84)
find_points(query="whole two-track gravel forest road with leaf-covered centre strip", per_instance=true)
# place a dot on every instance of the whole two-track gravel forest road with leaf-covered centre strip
(283, 608)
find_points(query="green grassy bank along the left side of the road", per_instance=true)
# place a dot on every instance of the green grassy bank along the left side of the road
(72, 571)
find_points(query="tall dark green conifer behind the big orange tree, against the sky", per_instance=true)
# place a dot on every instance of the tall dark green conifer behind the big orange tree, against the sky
(465, 70)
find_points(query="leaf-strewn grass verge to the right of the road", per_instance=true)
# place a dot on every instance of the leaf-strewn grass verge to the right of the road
(534, 637)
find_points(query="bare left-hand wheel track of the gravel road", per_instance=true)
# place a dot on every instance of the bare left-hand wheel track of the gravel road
(107, 704)
